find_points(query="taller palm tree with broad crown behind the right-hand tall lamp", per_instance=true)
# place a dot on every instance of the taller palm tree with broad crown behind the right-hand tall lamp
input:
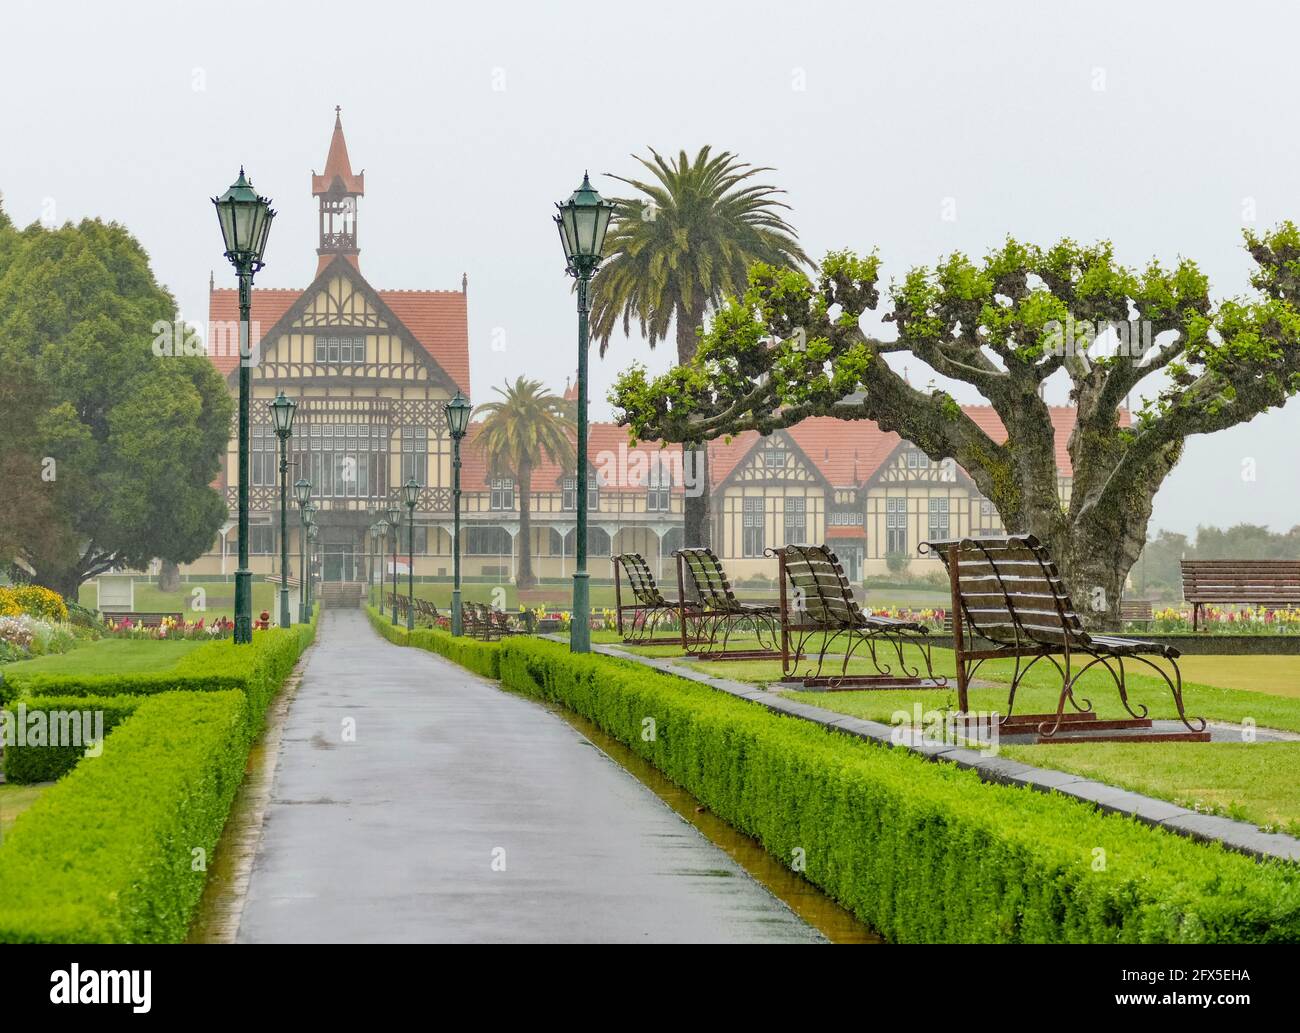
(677, 251)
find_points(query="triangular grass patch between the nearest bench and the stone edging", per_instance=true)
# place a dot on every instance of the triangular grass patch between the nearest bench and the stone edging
(1249, 782)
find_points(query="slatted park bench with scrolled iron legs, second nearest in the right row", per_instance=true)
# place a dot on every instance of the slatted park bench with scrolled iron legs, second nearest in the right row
(820, 611)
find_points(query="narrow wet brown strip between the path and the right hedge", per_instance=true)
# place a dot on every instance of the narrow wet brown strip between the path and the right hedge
(805, 900)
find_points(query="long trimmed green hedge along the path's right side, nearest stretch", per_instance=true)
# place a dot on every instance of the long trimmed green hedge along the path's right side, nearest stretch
(918, 850)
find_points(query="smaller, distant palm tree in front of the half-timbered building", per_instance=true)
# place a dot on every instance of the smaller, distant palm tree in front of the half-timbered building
(530, 424)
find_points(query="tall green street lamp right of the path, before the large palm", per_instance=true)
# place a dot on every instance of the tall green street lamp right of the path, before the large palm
(583, 222)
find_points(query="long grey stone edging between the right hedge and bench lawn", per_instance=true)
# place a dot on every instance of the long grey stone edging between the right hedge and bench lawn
(1240, 836)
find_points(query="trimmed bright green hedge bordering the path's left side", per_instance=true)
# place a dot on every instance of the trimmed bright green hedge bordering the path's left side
(110, 854)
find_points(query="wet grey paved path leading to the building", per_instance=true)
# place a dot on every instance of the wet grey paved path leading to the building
(465, 814)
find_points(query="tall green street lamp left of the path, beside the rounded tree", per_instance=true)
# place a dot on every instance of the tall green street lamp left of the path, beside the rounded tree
(245, 220)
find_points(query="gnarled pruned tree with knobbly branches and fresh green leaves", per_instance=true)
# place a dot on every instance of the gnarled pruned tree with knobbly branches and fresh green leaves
(794, 348)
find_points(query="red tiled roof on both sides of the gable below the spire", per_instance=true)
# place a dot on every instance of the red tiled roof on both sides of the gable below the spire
(437, 319)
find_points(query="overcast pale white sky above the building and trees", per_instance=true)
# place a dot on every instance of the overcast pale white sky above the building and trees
(1159, 127)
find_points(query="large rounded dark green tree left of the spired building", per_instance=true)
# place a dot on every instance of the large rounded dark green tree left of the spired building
(124, 442)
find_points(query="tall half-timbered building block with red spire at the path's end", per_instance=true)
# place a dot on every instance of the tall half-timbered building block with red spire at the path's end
(370, 371)
